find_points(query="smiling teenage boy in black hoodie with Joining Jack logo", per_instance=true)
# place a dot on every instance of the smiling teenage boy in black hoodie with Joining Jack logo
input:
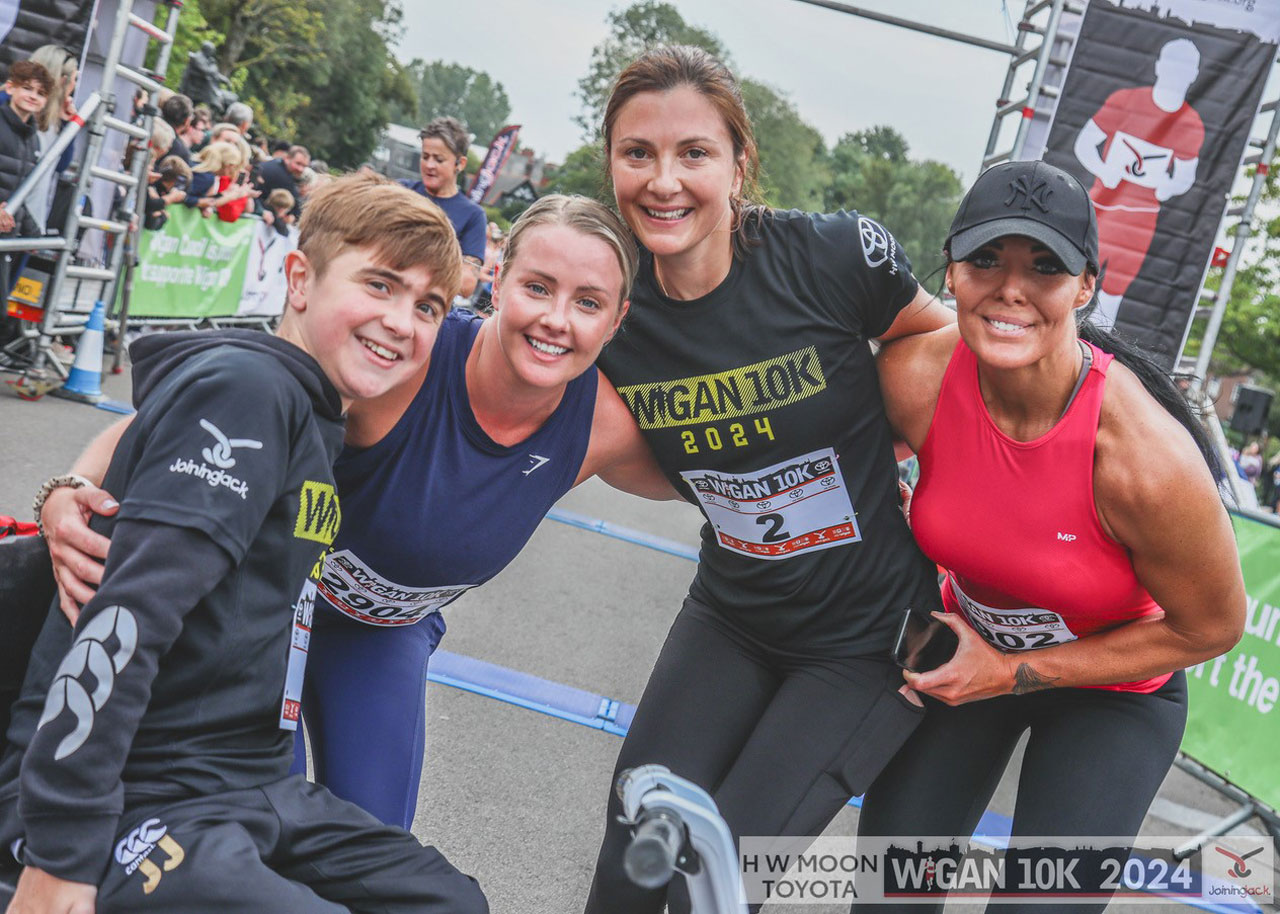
(156, 738)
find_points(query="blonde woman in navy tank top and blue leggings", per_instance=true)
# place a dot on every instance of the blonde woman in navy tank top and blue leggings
(432, 469)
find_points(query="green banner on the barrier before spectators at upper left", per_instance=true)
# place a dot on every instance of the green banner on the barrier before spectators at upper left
(191, 268)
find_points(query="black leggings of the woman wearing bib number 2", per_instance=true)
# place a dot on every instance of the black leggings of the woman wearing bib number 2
(780, 742)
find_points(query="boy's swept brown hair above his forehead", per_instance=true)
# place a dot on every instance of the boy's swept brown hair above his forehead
(400, 227)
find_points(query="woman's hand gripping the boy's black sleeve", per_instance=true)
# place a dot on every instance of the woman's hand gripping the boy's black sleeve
(76, 551)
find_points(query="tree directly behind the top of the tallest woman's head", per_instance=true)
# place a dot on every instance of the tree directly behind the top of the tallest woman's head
(632, 33)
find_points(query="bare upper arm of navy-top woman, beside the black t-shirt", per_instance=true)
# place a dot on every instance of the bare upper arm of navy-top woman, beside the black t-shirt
(619, 454)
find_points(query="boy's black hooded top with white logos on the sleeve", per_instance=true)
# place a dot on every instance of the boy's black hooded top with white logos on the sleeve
(179, 677)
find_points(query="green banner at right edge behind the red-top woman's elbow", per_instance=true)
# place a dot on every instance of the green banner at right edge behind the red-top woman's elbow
(1235, 726)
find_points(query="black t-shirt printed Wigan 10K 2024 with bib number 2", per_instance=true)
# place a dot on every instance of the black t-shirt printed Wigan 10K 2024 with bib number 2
(762, 405)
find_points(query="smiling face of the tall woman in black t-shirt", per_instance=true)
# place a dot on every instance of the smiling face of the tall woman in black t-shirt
(674, 171)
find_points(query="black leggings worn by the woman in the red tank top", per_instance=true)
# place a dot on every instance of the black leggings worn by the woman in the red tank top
(1092, 767)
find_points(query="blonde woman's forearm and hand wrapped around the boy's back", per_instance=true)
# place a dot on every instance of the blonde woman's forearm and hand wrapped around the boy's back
(76, 551)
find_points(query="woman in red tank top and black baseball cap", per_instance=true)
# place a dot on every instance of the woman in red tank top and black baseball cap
(1064, 487)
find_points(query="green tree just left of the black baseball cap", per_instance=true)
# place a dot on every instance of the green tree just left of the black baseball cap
(874, 173)
